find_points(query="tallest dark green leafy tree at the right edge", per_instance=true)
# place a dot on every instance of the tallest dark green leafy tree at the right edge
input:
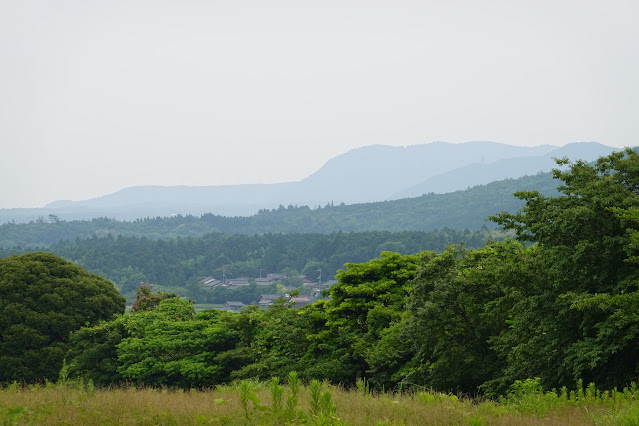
(578, 318)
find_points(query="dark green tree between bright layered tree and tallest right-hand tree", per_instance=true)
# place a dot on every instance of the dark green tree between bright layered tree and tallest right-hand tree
(459, 302)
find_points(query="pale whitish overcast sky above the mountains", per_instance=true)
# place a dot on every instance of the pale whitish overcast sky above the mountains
(96, 96)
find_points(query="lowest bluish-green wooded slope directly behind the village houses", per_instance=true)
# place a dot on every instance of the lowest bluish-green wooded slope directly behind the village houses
(177, 264)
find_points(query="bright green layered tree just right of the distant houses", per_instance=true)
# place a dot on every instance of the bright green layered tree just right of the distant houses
(368, 299)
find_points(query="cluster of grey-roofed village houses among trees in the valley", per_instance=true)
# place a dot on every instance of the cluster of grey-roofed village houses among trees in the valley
(267, 299)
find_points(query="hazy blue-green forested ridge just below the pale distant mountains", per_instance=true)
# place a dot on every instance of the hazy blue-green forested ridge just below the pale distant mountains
(466, 209)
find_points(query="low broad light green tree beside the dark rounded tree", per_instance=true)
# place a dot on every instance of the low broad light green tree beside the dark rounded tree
(170, 345)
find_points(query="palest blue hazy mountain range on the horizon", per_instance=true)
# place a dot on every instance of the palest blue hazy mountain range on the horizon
(368, 174)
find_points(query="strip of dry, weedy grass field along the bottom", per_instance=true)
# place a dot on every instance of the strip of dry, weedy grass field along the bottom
(271, 403)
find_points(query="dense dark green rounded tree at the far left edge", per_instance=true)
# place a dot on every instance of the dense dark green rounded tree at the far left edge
(42, 299)
